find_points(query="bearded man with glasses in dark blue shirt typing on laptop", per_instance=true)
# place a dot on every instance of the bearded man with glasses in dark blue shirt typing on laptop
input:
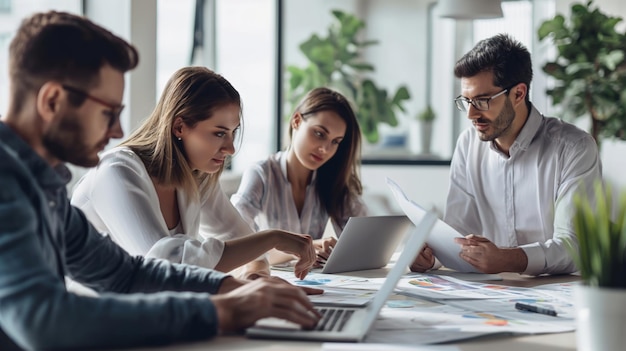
(67, 82)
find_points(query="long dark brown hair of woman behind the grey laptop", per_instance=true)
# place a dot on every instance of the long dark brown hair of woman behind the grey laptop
(337, 183)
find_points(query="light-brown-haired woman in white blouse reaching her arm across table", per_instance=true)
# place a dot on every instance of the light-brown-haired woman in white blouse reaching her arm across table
(157, 194)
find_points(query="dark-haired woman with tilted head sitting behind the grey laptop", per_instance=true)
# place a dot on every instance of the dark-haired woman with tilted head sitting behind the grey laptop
(314, 180)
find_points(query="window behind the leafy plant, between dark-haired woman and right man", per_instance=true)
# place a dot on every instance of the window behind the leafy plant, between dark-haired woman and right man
(399, 59)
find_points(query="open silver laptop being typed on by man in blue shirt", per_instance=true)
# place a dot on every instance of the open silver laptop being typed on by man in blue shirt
(352, 324)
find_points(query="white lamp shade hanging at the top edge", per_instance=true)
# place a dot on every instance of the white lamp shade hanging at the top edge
(469, 9)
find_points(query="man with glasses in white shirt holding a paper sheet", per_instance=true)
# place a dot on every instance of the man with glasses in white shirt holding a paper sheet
(514, 172)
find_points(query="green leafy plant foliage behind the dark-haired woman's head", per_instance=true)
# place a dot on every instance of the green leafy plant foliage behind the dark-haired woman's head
(335, 62)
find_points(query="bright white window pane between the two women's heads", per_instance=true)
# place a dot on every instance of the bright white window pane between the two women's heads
(245, 54)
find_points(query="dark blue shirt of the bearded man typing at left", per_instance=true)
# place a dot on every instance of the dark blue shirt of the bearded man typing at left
(37, 312)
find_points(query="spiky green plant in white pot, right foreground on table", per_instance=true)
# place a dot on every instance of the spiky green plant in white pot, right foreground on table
(601, 258)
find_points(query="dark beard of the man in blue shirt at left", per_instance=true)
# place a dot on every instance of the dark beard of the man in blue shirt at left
(64, 141)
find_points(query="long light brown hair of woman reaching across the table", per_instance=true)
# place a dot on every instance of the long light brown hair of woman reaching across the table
(193, 94)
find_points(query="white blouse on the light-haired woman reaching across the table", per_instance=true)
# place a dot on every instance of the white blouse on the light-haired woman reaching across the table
(119, 198)
